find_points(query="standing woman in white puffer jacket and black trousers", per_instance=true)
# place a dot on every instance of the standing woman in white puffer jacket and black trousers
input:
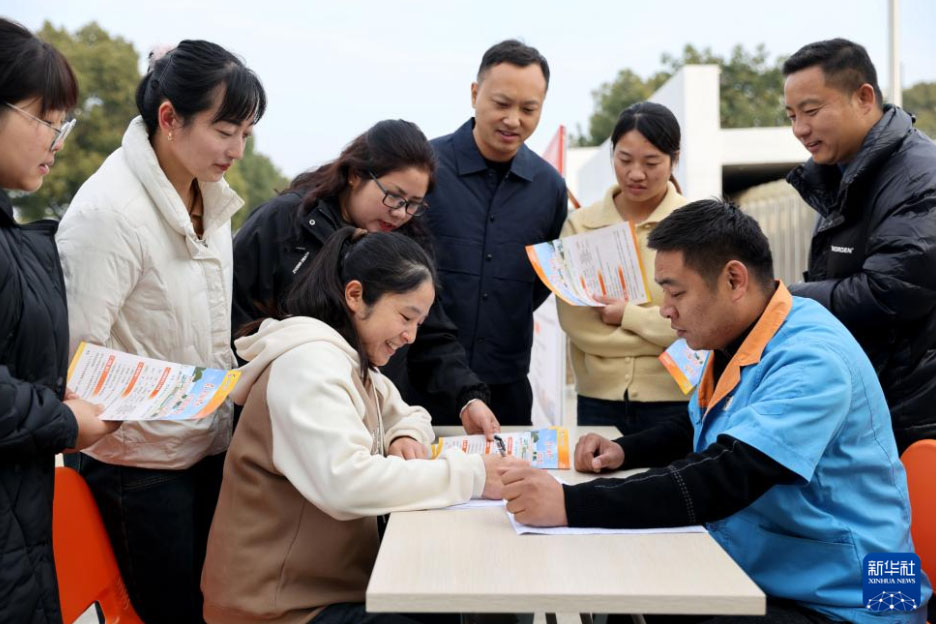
(146, 249)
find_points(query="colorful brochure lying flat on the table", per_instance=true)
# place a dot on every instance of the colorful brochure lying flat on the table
(543, 448)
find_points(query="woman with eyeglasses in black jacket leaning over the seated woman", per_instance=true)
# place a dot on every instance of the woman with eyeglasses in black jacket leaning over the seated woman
(378, 183)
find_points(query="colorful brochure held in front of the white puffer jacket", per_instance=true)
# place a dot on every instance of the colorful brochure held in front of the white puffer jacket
(131, 387)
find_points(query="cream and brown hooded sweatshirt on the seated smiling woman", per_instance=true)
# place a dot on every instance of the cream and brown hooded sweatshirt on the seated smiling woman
(305, 477)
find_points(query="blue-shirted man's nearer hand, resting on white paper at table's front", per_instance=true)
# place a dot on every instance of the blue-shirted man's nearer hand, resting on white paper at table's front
(534, 497)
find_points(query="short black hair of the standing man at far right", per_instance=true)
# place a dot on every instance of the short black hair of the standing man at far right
(845, 65)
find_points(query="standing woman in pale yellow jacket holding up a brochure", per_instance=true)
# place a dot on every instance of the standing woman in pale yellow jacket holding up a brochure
(614, 349)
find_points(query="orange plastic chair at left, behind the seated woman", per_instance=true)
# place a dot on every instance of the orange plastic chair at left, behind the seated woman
(84, 560)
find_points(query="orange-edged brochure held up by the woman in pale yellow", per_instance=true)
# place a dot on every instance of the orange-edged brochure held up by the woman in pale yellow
(604, 262)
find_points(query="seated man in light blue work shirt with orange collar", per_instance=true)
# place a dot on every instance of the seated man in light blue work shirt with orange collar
(787, 455)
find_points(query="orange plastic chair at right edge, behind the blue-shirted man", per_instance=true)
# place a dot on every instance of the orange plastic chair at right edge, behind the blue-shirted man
(920, 463)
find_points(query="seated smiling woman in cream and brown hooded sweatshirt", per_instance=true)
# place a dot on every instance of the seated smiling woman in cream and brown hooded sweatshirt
(319, 451)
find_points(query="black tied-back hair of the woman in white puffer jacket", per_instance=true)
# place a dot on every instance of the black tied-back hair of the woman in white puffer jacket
(187, 77)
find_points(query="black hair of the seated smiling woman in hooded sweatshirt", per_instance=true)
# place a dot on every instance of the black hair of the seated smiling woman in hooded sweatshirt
(383, 262)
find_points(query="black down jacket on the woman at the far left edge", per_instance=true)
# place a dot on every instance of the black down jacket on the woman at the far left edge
(34, 423)
